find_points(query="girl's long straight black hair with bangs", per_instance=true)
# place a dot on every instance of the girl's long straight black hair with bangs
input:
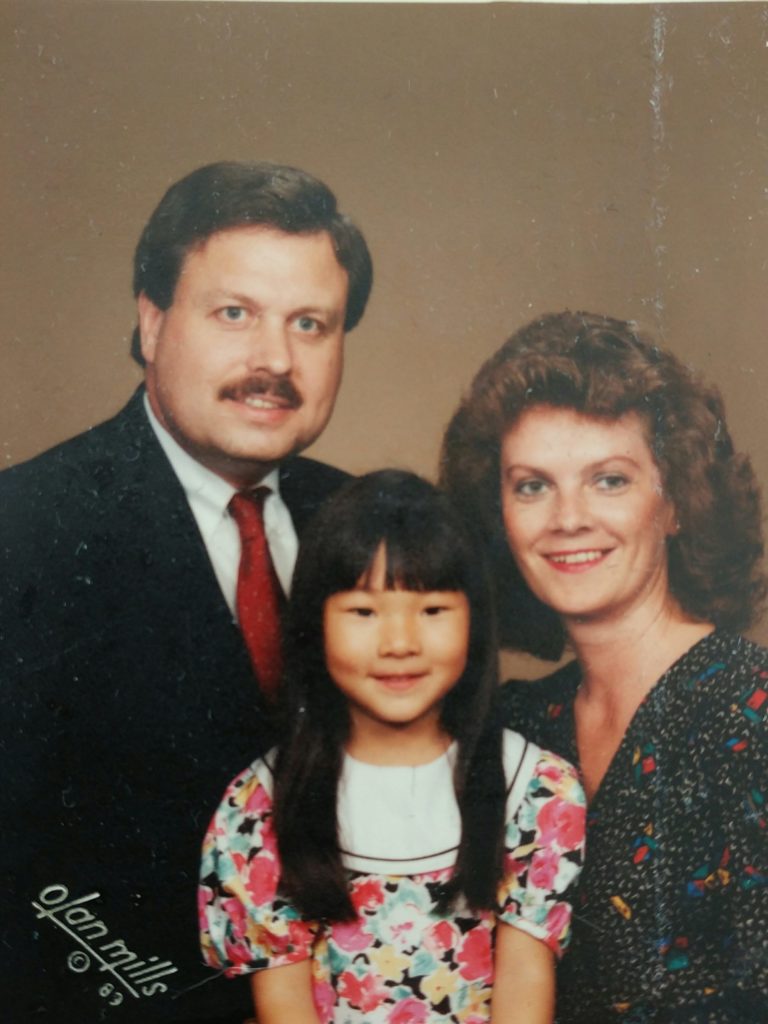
(429, 547)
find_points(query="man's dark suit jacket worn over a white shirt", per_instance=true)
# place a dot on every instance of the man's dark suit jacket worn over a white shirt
(127, 703)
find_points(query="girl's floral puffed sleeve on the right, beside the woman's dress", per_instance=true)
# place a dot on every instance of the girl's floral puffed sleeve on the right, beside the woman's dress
(544, 854)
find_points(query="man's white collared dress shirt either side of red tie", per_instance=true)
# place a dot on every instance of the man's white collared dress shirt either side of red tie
(209, 498)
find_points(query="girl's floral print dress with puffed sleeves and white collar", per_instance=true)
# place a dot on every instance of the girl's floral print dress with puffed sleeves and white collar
(401, 962)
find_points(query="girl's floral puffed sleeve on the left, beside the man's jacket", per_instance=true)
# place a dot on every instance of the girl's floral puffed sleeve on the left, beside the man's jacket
(244, 924)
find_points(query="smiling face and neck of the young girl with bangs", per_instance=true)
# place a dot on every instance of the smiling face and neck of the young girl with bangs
(396, 654)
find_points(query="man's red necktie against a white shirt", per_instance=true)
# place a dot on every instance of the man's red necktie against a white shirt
(259, 590)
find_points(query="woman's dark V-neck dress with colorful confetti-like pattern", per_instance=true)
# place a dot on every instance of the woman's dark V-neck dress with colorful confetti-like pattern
(671, 912)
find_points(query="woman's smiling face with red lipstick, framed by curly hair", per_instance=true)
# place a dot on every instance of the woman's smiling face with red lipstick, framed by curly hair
(585, 514)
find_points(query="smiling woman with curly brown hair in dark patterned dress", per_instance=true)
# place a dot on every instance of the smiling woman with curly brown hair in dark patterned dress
(622, 523)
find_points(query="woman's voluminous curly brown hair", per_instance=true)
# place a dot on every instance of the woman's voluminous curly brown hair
(605, 368)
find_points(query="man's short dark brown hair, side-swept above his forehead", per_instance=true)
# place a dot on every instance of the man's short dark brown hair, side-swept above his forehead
(231, 194)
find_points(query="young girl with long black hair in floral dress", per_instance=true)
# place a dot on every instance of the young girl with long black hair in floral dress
(401, 854)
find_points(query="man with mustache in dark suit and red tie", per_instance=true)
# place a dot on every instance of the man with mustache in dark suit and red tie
(129, 698)
